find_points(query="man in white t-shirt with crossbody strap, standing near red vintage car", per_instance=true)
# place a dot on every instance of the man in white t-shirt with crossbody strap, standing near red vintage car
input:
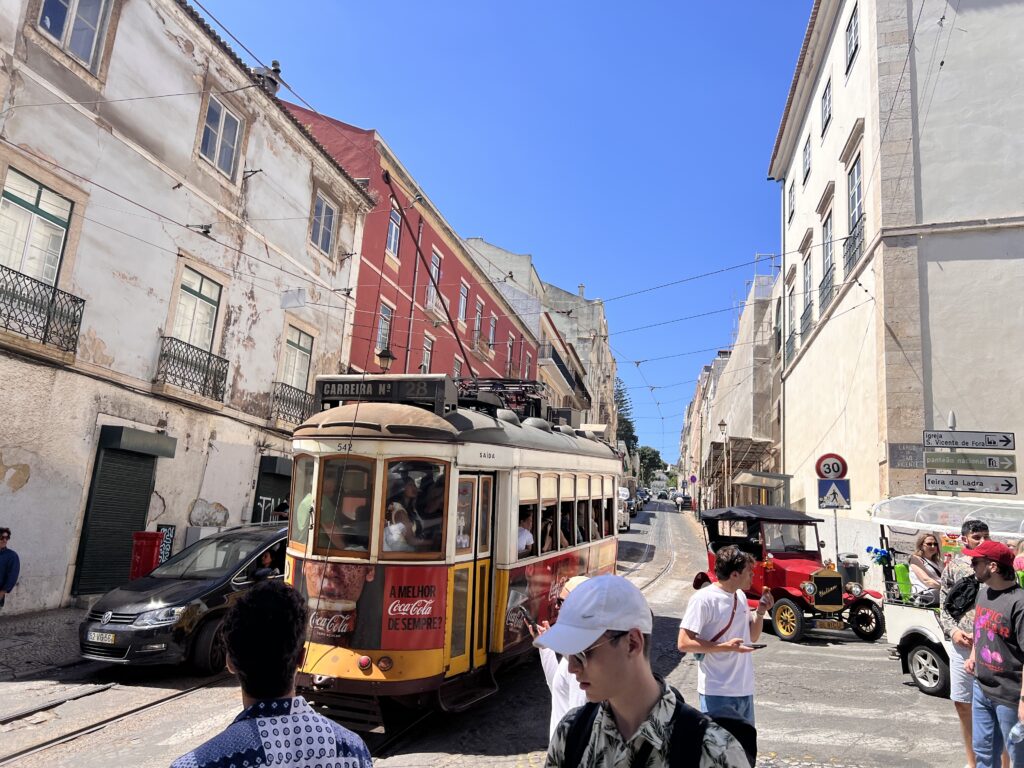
(719, 627)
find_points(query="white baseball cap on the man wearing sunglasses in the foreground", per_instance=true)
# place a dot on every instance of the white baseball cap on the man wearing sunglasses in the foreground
(601, 605)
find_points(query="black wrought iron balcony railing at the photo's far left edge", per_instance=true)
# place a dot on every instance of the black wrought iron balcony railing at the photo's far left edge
(38, 311)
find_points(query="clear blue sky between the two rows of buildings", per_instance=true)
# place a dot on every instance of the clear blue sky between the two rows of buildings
(623, 150)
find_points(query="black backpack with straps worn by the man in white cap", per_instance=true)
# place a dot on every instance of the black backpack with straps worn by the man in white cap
(686, 744)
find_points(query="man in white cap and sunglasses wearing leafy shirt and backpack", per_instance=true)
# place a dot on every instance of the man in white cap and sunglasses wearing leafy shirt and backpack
(631, 718)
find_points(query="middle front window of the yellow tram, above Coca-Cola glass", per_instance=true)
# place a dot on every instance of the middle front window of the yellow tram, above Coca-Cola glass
(347, 489)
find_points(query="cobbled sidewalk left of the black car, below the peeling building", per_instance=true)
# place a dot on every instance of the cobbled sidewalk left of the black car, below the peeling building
(34, 644)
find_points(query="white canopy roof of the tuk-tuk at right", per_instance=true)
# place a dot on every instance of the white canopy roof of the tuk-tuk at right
(947, 515)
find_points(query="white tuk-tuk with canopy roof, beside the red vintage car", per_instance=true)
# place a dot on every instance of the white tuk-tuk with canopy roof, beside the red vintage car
(914, 629)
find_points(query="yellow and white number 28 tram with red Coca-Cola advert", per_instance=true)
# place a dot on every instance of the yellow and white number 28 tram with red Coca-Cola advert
(430, 525)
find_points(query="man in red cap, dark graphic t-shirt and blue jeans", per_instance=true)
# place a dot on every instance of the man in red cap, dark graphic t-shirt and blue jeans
(998, 657)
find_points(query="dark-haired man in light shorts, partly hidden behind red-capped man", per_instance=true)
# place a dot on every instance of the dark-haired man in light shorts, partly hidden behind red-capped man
(960, 634)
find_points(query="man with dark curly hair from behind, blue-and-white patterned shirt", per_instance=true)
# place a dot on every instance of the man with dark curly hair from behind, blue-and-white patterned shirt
(264, 634)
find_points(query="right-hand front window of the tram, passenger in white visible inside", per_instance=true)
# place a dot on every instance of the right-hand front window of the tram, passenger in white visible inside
(414, 510)
